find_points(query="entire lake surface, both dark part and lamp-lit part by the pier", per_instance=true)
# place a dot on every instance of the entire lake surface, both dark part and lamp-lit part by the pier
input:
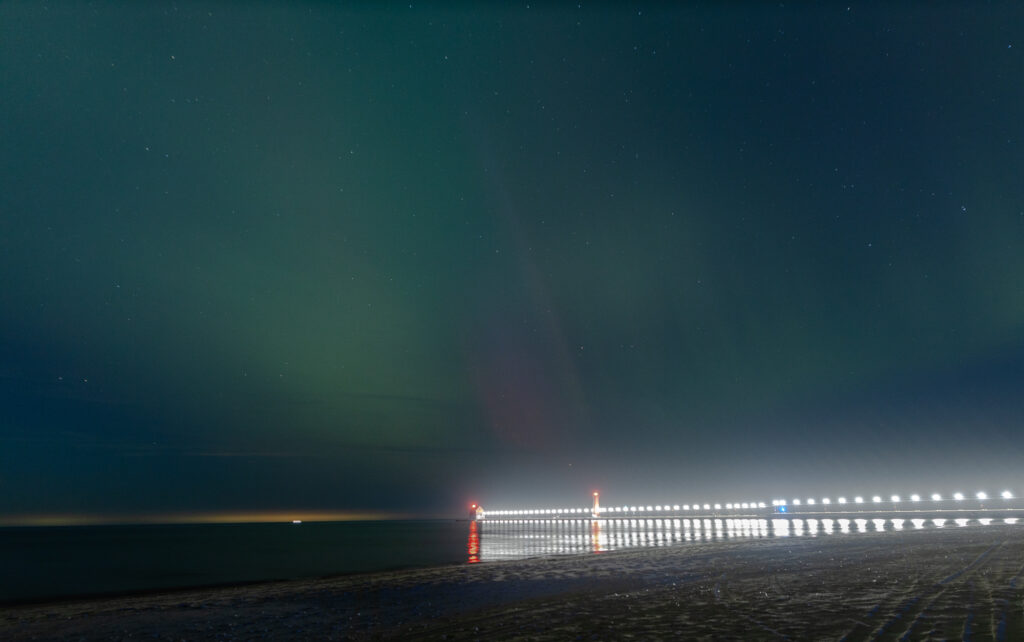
(39, 564)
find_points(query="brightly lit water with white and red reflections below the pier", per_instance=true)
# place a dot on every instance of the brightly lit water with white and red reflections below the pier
(517, 539)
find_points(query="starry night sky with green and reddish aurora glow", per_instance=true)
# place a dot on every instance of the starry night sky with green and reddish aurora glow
(395, 259)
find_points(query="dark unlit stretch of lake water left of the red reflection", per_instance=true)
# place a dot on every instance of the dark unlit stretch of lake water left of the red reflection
(52, 563)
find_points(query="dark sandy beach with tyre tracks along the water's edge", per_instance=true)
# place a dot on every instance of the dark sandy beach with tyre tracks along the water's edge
(950, 584)
